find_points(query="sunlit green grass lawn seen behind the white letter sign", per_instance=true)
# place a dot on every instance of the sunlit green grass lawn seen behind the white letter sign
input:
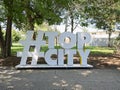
(16, 47)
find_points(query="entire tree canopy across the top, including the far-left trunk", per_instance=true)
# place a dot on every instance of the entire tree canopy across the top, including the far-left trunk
(26, 13)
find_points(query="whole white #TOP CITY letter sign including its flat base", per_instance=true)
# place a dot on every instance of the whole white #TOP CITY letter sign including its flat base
(78, 40)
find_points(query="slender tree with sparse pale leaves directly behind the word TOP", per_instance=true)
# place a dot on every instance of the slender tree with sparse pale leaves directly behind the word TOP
(74, 15)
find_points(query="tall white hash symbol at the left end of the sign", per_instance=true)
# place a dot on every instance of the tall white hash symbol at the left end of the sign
(27, 44)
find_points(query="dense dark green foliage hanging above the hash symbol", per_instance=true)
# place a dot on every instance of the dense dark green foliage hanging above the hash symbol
(38, 11)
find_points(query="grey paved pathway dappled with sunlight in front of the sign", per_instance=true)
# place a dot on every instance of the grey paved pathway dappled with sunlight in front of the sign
(59, 79)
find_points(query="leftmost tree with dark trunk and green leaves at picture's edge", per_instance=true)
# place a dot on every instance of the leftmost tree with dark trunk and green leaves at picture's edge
(8, 11)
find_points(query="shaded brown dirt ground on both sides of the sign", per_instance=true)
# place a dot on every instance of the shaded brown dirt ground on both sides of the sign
(98, 61)
